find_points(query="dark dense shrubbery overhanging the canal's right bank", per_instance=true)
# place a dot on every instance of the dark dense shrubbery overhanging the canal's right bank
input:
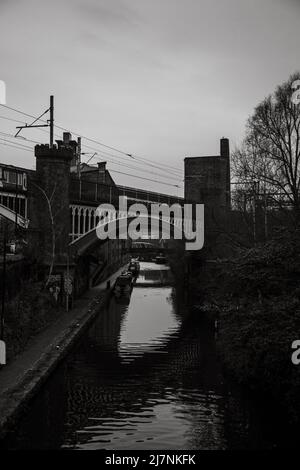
(256, 298)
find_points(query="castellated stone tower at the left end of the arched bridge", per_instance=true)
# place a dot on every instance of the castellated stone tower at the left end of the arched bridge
(52, 191)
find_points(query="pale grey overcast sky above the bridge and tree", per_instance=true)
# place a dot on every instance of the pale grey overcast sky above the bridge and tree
(162, 79)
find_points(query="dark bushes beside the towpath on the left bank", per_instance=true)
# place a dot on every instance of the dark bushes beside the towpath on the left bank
(27, 314)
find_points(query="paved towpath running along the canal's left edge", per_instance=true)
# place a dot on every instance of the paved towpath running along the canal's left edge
(20, 379)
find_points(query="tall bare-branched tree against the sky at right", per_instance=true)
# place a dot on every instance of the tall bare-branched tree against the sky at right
(269, 159)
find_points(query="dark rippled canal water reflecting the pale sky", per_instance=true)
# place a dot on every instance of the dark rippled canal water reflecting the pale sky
(145, 376)
